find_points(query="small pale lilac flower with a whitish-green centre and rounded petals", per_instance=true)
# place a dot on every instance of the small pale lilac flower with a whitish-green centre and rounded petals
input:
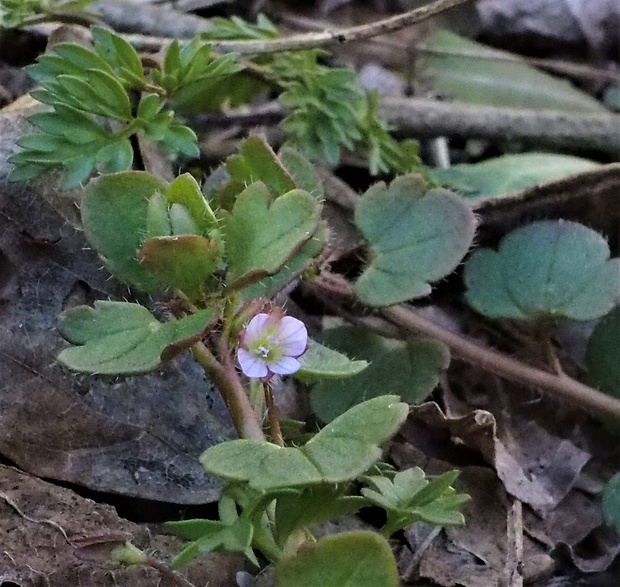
(271, 345)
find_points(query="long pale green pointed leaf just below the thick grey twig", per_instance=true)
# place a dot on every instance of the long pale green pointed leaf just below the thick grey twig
(495, 177)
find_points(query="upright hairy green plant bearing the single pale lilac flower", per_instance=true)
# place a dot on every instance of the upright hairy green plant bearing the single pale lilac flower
(221, 258)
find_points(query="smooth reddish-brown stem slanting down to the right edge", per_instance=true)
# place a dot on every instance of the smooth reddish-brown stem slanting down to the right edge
(495, 362)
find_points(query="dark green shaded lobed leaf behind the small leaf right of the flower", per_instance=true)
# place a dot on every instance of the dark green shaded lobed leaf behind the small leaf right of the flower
(419, 364)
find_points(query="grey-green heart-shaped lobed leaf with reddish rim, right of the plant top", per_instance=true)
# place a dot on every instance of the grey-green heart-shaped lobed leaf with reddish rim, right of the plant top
(414, 238)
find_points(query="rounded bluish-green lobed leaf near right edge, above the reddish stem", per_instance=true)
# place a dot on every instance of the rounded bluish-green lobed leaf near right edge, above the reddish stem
(547, 269)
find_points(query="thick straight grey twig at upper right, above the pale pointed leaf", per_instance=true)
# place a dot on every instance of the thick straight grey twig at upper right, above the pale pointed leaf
(431, 118)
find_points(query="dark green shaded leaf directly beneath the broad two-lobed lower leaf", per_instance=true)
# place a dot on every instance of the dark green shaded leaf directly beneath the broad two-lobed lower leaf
(312, 505)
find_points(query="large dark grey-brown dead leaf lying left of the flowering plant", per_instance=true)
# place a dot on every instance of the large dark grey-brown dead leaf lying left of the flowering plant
(139, 436)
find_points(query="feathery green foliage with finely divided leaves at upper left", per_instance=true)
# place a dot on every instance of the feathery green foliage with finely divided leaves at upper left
(100, 98)
